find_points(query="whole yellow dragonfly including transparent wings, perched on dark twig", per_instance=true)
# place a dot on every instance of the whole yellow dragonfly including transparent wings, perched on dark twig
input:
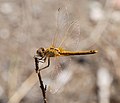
(67, 36)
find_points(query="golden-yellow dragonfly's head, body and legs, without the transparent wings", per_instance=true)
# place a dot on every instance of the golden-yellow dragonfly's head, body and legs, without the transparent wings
(45, 54)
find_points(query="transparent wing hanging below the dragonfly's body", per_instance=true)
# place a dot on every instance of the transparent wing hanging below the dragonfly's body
(58, 75)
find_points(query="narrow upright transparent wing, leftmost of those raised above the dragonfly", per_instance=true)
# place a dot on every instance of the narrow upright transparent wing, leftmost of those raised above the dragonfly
(62, 21)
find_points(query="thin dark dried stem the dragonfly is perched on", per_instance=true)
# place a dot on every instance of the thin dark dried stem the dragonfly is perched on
(42, 86)
